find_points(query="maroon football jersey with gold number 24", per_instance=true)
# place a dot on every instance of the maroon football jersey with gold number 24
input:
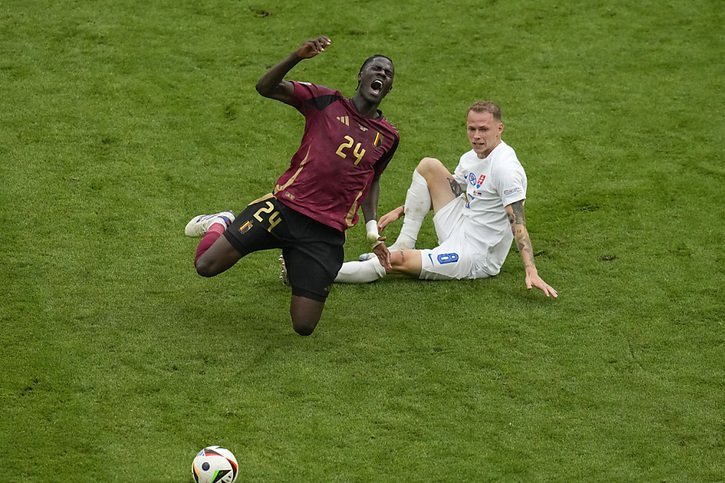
(340, 154)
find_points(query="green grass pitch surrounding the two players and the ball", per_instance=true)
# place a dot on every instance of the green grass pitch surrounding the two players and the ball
(120, 120)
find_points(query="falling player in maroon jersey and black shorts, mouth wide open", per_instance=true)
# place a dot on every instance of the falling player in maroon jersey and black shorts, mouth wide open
(346, 145)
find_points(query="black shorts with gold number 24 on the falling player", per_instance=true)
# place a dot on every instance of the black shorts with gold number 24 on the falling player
(313, 252)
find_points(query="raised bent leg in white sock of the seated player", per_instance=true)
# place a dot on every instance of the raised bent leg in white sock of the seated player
(430, 188)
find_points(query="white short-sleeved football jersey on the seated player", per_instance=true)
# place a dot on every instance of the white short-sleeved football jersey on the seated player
(491, 184)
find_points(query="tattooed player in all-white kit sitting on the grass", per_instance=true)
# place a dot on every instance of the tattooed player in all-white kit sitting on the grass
(478, 212)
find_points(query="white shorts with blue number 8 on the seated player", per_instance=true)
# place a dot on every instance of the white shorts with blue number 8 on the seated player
(454, 258)
